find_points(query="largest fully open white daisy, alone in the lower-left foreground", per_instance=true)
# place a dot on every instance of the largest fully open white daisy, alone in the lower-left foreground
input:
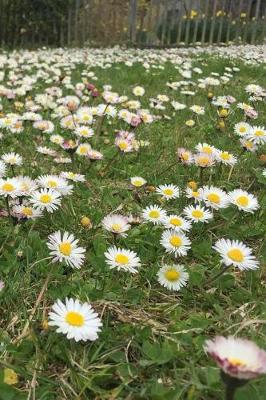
(75, 320)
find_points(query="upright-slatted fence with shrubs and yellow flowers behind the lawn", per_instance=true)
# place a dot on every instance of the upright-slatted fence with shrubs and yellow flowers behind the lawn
(35, 23)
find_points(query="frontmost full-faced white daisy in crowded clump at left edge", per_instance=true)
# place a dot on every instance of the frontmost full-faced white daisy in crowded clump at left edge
(46, 199)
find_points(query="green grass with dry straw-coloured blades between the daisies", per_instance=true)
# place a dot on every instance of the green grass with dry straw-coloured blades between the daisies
(151, 344)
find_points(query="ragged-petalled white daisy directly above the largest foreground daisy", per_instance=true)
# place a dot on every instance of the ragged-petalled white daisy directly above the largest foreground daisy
(64, 247)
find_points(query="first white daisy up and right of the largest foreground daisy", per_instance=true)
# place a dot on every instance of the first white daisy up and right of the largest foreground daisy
(122, 259)
